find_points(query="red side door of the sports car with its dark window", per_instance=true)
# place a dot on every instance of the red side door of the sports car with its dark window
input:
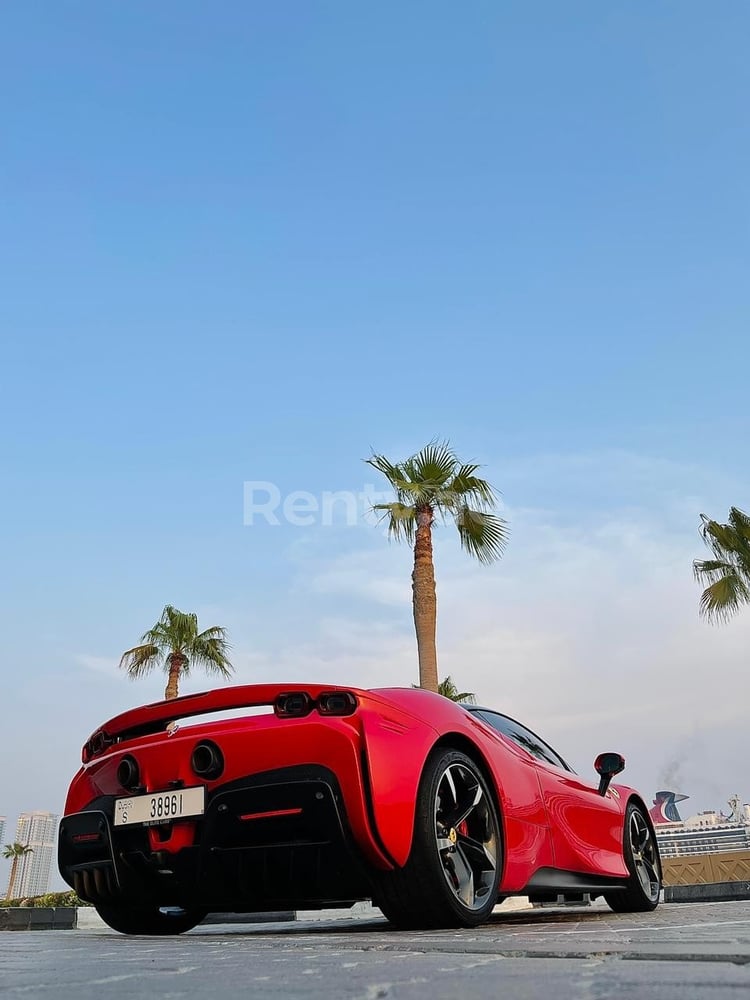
(585, 827)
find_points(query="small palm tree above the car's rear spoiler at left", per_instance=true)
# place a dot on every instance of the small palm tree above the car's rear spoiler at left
(176, 645)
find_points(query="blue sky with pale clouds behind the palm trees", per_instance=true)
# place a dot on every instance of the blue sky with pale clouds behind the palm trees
(257, 241)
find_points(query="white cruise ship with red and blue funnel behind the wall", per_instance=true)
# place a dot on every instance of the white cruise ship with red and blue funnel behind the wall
(705, 833)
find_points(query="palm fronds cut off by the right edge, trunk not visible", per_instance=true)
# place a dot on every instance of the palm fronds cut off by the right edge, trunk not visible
(728, 573)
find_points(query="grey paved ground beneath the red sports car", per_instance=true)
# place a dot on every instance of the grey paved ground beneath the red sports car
(680, 951)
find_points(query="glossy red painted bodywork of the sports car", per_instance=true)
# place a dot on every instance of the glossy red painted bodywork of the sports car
(550, 817)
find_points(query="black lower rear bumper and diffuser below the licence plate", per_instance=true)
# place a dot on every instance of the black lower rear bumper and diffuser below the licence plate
(277, 840)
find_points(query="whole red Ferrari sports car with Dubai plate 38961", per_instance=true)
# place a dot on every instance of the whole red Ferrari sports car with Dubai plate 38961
(314, 796)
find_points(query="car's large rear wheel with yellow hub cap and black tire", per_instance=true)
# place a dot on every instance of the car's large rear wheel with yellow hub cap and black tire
(452, 874)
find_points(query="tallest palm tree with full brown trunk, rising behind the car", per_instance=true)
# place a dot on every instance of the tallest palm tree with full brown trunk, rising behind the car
(434, 484)
